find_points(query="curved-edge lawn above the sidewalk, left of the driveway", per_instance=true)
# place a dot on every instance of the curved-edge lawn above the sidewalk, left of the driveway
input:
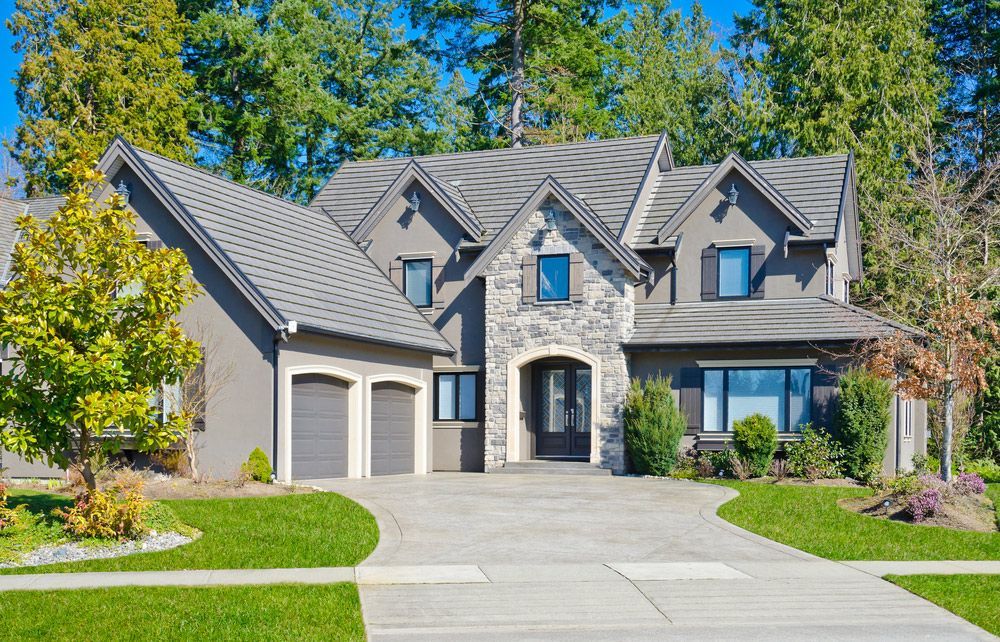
(289, 531)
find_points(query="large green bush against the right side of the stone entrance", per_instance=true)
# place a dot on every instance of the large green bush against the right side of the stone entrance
(653, 426)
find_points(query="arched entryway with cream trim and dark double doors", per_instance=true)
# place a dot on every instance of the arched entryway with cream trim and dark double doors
(553, 402)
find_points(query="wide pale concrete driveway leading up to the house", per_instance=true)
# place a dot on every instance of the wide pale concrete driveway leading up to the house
(465, 556)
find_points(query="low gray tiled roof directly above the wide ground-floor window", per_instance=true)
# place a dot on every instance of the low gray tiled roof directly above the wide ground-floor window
(765, 321)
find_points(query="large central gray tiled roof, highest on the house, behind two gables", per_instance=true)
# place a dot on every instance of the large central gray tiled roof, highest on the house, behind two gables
(495, 183)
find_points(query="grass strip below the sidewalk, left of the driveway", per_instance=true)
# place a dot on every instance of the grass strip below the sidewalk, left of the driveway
(278, 612)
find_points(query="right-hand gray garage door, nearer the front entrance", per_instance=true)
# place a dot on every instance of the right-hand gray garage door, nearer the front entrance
(392, 429)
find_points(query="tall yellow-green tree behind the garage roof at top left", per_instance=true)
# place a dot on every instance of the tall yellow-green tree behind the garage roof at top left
(93, 69)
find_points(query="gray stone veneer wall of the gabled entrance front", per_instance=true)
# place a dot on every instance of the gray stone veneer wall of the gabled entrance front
(599, 325)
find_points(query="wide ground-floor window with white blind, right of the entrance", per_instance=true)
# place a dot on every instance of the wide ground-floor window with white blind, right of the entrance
(730, 394)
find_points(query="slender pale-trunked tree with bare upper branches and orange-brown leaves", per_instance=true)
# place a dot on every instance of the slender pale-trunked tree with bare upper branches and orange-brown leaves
(947, 250)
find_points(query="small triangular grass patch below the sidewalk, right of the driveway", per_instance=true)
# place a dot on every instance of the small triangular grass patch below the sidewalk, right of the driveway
(973, 597)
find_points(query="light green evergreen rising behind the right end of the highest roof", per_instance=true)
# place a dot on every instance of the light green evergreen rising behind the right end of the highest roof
(670, 76)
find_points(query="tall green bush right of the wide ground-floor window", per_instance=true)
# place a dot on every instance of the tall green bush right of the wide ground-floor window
(862, 422)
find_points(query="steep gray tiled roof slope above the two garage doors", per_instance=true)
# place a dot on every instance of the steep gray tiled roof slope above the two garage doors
(305, 265)
